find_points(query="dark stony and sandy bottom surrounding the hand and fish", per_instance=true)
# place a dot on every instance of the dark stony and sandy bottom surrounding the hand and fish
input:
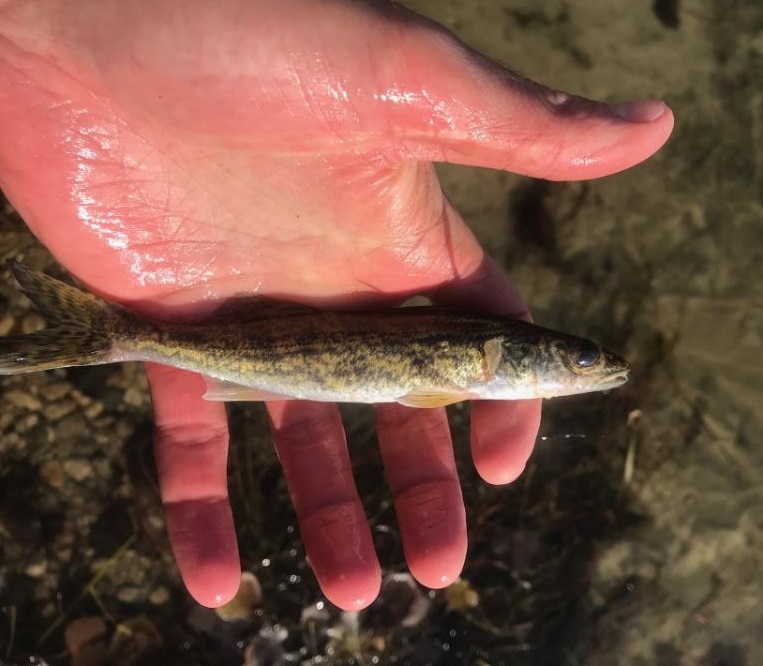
(635, 534)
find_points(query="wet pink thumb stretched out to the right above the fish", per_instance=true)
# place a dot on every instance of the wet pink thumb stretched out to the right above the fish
(447, 102)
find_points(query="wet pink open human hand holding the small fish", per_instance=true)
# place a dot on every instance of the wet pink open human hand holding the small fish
(174, 153)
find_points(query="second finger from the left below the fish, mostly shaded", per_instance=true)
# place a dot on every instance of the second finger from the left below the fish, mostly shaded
(310, 442)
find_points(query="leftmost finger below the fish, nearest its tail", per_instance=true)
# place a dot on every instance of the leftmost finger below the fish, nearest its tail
(191, 447)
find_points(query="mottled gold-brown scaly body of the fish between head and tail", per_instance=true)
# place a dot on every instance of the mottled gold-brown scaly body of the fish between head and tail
(334, 351)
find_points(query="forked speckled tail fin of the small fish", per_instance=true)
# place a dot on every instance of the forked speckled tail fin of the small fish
(79, 327)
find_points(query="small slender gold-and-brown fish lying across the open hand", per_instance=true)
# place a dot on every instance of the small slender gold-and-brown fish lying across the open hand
(419, 356)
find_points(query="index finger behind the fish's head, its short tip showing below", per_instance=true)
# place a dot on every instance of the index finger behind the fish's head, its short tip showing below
(503, 432)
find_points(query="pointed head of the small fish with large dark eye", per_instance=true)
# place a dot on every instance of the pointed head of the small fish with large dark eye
(555, 365)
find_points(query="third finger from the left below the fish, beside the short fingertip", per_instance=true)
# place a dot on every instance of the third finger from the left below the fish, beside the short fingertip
(418, 460)
